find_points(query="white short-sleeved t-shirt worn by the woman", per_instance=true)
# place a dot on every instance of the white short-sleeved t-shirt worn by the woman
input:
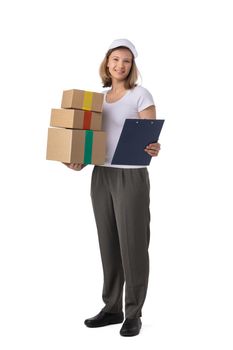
(114, 114)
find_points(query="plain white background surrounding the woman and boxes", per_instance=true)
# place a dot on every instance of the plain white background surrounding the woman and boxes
(51, 274)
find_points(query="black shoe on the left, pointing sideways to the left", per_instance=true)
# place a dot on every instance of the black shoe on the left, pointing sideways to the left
(104, 319)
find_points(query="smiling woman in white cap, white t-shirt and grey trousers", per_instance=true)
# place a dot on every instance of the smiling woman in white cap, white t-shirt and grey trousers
(120, 196)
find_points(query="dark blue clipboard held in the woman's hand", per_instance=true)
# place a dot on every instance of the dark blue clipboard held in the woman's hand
(135, 136)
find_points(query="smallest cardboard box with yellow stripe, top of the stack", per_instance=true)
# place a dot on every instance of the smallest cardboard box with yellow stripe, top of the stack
(80, 99)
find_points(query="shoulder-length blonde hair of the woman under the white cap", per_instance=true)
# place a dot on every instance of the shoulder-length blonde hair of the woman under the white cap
(130, 81)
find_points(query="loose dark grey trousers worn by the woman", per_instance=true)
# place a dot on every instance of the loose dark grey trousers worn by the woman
(120, 199)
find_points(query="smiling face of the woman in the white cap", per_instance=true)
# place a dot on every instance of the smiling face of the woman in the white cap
(120, 63)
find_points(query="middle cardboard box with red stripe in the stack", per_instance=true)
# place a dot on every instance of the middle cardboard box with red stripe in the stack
(76, 119)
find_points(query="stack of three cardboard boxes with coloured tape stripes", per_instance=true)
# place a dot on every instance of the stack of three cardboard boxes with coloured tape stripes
(75, 135)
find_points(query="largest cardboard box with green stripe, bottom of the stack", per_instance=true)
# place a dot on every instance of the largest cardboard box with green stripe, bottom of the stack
(76, 146)
